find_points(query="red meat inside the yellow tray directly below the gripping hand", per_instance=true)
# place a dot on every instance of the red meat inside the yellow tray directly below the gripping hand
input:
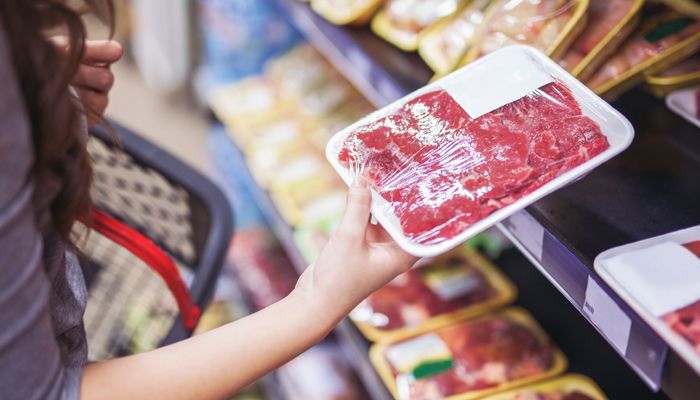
(409, 300)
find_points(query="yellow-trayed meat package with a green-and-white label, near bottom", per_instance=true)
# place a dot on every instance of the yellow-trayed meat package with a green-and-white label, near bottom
(469, 359)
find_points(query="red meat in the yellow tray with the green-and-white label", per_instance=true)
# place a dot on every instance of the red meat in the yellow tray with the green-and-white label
(486, 353)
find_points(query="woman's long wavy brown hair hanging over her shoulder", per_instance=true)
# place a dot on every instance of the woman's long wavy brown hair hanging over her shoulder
(45, 75)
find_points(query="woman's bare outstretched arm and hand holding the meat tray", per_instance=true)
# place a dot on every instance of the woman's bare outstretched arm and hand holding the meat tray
(358, 260)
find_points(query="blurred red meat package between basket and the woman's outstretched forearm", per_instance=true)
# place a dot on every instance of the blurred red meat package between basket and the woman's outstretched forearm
(262, 267)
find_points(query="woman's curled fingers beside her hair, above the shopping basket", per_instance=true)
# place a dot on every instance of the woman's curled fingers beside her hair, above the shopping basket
(94, 78)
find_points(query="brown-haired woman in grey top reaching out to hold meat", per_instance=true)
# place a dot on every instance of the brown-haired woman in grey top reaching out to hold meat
(44, 186)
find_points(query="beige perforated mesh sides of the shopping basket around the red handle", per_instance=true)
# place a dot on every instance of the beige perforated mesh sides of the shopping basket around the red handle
(130, 308)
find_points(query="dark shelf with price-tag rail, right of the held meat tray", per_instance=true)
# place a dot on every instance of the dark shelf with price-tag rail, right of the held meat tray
(650, 189)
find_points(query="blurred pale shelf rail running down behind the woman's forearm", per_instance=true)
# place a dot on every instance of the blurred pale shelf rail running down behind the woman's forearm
(354, 345)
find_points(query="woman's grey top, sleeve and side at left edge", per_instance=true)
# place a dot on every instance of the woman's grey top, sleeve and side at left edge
(42, 291)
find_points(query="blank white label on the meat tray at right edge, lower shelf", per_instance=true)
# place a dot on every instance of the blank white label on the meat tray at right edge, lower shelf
(663, 278)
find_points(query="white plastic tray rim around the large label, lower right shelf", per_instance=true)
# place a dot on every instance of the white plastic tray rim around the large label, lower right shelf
(678, 343)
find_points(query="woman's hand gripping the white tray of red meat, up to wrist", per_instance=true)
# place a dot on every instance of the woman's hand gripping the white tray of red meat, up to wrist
(359, 259)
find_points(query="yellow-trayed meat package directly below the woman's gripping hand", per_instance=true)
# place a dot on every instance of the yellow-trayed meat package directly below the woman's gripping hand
(457, 285)
